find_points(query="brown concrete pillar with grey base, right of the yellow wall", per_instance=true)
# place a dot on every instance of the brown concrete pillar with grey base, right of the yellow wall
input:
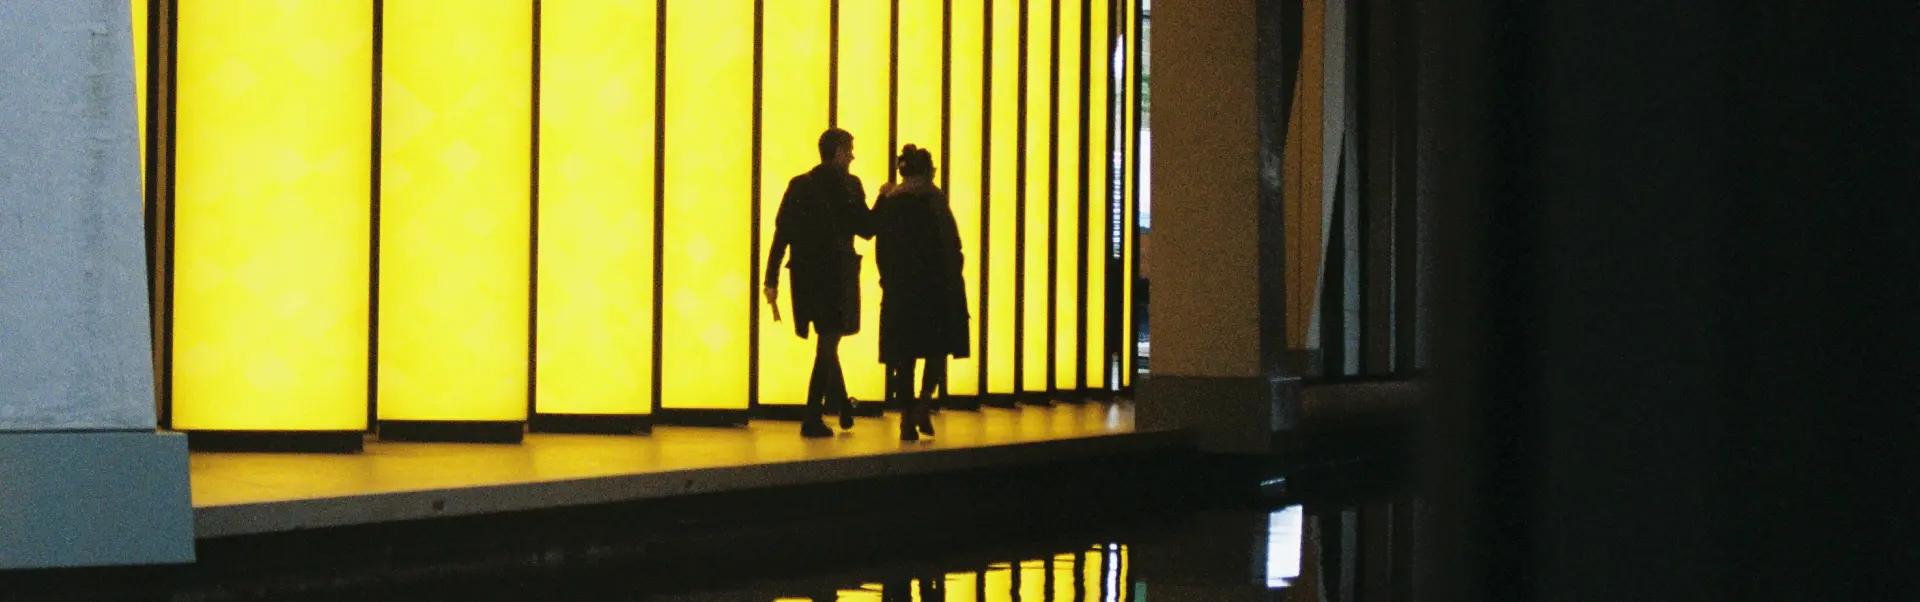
(1216, 363)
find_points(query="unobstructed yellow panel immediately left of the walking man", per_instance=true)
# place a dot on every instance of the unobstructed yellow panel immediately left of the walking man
(709, 168)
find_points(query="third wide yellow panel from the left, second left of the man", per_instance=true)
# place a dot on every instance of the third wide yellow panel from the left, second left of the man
(596, 208)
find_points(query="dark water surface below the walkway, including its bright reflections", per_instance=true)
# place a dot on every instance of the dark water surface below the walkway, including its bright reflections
(1111, 530)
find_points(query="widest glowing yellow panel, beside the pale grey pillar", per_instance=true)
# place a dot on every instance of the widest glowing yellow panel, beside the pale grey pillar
(272, 214)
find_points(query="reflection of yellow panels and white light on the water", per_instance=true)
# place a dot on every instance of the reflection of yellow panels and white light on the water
(1337, 553)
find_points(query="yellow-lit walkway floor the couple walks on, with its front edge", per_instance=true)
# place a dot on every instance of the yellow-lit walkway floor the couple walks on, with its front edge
(241, 494)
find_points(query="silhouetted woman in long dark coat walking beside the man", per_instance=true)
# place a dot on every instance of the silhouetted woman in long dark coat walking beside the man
(923, 306)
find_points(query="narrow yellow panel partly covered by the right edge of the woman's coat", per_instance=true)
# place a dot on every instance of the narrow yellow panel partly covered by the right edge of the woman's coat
(965, 174)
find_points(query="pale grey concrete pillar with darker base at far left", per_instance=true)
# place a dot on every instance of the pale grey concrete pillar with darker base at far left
(85, 480)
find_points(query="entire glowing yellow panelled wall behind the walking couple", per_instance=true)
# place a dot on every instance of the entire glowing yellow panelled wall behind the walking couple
(274, 202)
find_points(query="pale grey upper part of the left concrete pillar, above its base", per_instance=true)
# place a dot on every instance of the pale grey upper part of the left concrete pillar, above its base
(74, 340)
